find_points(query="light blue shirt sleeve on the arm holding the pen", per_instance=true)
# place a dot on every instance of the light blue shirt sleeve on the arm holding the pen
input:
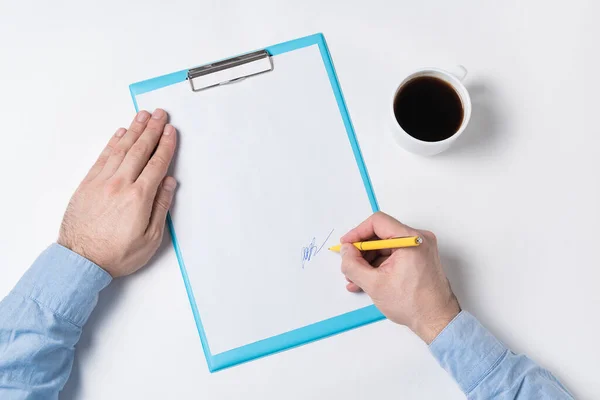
(485, 369)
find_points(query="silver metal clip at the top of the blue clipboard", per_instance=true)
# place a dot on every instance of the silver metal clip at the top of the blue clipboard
(230, 70)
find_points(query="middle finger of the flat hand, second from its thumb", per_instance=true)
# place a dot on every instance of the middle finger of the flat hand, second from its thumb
(141, 151)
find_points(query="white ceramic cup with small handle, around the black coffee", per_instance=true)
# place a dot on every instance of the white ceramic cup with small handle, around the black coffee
(414, 145)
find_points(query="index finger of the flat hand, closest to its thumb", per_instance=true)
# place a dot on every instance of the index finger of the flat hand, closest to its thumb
(156, 168)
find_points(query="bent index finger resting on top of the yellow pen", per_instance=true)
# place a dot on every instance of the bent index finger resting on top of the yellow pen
(378, 225)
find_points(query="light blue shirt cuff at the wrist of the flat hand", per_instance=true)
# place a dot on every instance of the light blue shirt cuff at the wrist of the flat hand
(65, 283)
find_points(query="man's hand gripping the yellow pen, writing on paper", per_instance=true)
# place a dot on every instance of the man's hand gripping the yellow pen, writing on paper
(407, 285)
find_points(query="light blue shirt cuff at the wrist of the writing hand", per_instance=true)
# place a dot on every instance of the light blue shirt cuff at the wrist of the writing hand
(467, 351)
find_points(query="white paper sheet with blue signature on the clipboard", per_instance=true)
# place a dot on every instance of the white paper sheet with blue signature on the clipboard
(266, 171)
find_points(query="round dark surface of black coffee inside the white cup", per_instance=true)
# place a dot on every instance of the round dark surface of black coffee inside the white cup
(428, 109)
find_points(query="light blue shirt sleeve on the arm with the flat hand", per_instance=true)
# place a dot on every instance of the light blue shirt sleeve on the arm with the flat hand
(41, 321)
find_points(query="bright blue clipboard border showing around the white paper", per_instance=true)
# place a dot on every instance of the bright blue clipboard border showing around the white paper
(309, 333)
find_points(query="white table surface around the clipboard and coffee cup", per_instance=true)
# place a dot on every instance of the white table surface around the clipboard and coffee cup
(514, 204)
